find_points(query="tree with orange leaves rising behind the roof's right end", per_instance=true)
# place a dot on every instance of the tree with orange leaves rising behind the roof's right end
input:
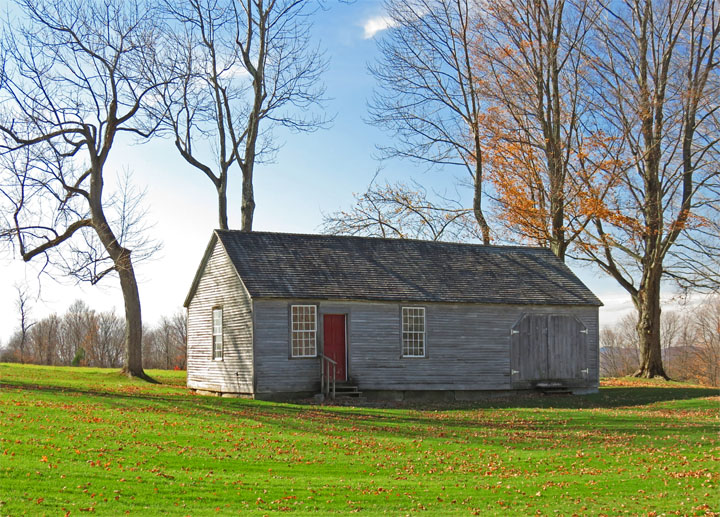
(549, 163)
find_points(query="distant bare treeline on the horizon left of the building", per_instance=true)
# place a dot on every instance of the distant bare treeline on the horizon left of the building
(84, 337)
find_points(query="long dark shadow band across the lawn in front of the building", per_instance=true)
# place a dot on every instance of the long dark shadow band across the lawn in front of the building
(418, 421)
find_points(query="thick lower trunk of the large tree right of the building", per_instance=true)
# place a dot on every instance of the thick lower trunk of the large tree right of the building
(647, 303)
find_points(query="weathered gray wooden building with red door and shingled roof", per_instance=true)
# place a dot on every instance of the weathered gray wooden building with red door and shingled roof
(275, 316)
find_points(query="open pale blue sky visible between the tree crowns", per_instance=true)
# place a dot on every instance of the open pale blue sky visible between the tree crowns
(313, 173)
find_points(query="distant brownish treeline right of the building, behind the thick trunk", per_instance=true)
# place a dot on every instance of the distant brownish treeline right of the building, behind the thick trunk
(690, 344)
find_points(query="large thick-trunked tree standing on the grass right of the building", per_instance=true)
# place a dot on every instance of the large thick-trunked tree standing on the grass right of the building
(656, 78)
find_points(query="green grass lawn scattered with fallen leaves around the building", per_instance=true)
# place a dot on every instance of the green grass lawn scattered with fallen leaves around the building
(76, 440)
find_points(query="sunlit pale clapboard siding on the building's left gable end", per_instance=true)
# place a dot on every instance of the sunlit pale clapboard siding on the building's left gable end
(220, 286)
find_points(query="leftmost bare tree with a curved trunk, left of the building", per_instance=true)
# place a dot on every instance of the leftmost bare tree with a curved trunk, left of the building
(76, 76)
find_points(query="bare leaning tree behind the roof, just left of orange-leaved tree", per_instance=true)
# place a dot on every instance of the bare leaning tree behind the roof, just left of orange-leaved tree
(427, 95)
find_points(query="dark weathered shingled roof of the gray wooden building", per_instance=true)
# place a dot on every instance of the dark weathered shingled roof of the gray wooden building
(281, 265)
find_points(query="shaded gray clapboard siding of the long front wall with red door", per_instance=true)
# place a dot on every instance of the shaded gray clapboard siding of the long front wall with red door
(467, 346)
